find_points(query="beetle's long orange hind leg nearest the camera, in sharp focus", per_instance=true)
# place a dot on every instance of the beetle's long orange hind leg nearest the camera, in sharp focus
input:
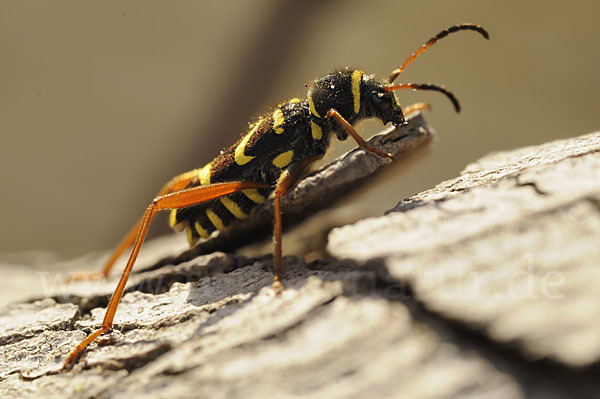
(179, 199)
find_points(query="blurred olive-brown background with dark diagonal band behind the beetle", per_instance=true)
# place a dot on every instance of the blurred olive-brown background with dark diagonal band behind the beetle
(103, 102)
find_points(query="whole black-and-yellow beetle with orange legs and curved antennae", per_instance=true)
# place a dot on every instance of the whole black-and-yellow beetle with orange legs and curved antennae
(269, 159)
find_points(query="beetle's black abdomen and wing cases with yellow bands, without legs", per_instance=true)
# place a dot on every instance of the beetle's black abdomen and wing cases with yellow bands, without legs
(272, 144)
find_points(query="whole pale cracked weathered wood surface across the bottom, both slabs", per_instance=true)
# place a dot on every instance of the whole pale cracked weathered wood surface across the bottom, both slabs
(484, 286)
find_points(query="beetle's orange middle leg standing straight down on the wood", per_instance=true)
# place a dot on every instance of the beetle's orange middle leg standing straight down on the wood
(286, 181)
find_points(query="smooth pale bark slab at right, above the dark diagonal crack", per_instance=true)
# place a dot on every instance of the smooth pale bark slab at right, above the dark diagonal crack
(511, 248)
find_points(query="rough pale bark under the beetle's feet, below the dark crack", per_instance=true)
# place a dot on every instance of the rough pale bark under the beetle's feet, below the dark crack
(230, 336)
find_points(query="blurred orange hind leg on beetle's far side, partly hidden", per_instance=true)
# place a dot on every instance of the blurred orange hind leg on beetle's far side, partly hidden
(176, 184)
